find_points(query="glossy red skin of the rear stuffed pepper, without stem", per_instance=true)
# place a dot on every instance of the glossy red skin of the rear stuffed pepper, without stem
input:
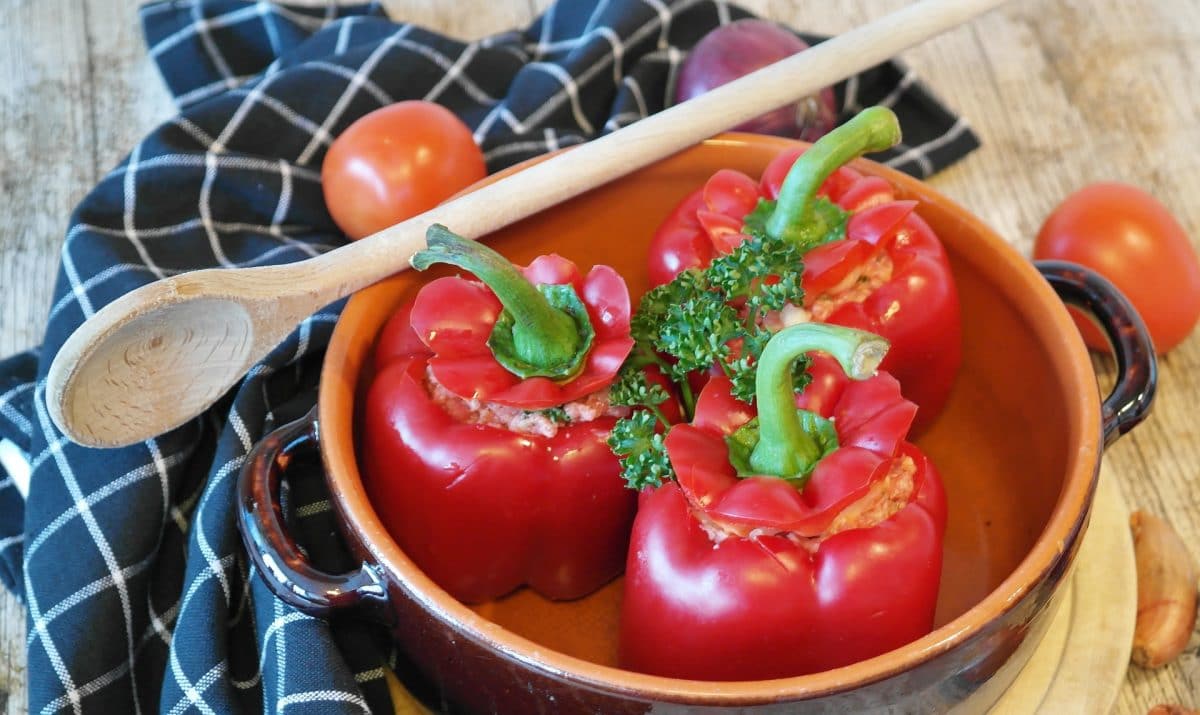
(916, 309)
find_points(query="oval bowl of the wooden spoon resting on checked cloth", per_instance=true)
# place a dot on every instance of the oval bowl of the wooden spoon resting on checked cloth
(161, 356)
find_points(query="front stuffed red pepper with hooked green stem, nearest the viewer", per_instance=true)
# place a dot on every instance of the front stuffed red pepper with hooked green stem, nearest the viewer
(801, 539)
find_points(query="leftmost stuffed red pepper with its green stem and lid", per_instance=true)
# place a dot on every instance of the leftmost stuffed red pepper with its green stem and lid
(478, 502)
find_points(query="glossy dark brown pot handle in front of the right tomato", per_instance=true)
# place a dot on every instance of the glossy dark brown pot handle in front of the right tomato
(1137, 366)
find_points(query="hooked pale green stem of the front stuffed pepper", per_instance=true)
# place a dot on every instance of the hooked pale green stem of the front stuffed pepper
(784, 447)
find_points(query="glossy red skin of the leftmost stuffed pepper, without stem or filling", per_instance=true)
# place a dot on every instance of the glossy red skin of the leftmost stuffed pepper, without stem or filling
(482, 509)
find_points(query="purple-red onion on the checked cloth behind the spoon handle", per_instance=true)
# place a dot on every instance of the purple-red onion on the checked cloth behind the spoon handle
(736, 50)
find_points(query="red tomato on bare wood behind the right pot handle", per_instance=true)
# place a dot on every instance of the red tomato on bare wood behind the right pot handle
(1131, 239)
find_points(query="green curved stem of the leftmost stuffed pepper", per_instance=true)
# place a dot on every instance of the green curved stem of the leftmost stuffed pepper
(543, 335)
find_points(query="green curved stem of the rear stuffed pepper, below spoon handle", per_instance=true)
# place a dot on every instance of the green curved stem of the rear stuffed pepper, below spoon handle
(874, 129)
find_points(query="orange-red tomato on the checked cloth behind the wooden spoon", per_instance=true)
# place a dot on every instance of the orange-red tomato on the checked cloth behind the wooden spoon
(397, 163)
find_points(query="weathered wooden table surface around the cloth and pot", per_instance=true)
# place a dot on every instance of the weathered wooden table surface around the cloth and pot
(1063, 93)
